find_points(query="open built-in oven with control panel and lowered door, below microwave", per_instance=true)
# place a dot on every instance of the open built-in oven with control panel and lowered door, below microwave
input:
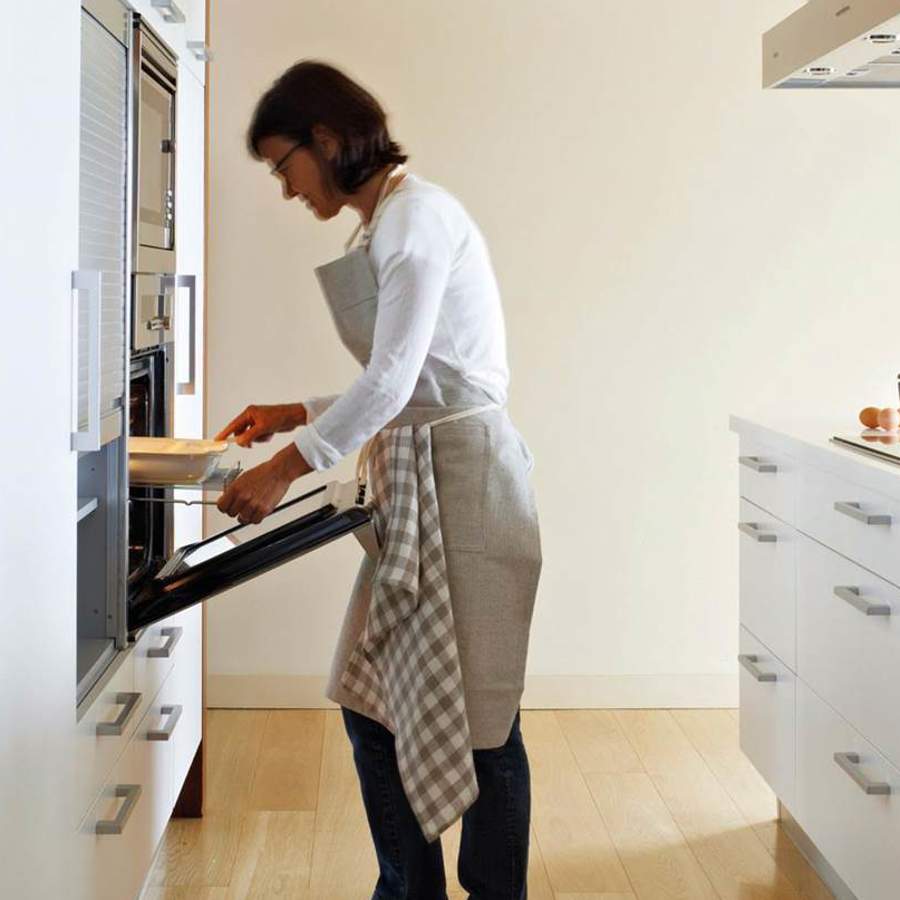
(162, 579)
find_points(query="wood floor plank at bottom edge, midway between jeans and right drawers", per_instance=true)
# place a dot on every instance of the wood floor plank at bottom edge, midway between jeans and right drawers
(653, 850)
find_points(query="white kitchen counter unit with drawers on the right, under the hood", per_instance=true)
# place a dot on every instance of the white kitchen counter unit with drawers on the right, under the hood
(819, 531)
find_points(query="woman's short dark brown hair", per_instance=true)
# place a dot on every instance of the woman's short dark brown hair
(314, 93)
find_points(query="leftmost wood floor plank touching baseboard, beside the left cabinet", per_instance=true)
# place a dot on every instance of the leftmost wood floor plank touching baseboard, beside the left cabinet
(234, 737)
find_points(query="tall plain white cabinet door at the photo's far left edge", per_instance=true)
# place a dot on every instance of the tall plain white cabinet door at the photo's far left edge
(39, 91)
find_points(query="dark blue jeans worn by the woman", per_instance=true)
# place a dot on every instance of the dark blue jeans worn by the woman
(493, 849)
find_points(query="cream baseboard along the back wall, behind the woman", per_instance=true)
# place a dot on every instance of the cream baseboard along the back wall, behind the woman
(541, 692)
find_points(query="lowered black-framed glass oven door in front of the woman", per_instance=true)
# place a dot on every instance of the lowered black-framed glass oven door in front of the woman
(240, 553)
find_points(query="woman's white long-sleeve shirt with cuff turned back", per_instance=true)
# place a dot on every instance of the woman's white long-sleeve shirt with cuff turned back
(439, 336)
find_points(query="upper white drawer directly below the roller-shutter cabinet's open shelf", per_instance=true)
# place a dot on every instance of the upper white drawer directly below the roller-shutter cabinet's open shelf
(103, 732)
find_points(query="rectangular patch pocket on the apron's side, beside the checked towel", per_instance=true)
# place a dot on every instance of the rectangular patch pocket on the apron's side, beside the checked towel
(460, 455)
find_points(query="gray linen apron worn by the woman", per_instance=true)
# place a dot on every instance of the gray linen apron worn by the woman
(488, 527)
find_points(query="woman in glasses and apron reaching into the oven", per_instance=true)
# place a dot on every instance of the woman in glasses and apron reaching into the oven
(430, 661)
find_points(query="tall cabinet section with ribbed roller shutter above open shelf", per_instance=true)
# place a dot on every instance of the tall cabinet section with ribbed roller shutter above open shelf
(101, 283)
